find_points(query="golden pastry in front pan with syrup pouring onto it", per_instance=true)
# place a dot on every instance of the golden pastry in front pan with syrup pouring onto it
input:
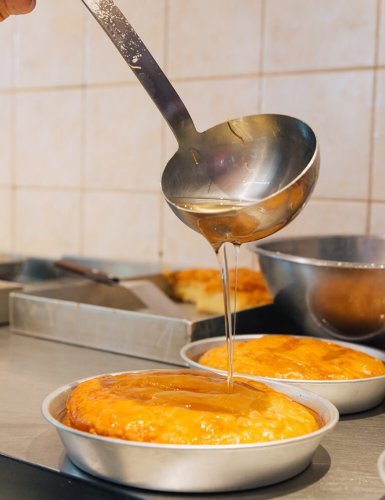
(185, 407)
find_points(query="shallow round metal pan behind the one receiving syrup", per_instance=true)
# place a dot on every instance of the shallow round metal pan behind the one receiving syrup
(349, 396)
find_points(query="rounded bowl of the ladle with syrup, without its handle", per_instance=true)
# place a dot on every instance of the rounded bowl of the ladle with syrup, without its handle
(244, 179)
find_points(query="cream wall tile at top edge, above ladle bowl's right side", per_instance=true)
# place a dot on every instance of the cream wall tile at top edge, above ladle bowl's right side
(311, 35)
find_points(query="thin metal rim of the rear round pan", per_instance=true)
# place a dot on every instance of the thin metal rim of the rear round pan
(379, 354)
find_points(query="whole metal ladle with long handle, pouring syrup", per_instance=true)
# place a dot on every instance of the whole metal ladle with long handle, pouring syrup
(268, 159)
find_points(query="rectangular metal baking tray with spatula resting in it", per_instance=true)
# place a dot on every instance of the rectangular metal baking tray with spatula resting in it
(107, 318)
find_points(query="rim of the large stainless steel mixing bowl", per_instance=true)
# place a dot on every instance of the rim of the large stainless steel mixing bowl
(260, 248)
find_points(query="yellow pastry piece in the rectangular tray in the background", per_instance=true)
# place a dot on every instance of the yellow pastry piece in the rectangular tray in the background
(203, 287)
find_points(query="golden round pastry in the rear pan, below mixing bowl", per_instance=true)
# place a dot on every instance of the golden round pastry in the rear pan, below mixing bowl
(286, 357)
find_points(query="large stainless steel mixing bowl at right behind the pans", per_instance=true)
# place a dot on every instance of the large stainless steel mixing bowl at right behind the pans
(331, 286)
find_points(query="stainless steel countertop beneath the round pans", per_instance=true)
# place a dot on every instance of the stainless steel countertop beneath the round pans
(344, 466)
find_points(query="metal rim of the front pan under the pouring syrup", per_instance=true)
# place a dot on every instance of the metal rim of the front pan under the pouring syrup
(327, 406)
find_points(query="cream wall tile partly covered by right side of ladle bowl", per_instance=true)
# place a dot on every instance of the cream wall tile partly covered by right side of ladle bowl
(338, 107)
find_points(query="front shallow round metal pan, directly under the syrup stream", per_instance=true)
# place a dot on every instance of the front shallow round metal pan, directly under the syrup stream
(191, 468)
